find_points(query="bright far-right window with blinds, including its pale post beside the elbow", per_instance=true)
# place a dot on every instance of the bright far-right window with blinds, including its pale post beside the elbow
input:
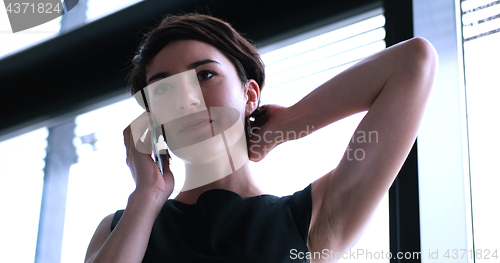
(456, 153)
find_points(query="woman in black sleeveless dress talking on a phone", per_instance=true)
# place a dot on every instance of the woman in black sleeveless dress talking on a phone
(228, 219)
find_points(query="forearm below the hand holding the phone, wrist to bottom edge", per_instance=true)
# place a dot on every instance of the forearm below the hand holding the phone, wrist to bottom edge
(129, 239)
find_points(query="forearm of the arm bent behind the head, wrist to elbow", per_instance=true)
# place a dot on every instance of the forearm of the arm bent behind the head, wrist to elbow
(350, 92)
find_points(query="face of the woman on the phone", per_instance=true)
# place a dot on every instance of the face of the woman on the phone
(183, 105)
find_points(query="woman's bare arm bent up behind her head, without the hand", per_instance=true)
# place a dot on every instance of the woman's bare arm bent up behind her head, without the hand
(394, 86)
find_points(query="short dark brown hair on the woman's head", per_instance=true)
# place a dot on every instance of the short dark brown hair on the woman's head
(203, 28)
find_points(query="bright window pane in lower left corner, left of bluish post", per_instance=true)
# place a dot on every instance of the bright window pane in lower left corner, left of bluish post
(21, 172)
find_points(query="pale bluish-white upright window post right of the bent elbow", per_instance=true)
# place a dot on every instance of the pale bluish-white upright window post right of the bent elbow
(445, 201)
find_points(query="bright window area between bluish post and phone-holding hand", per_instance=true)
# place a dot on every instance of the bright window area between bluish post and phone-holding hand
(100, 183)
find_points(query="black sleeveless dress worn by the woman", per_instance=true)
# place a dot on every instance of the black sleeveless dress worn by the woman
(222, 226)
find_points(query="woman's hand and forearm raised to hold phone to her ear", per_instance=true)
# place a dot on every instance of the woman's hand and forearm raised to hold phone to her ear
(128, 241)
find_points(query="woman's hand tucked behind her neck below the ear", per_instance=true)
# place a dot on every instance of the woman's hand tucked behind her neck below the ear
(267, 131)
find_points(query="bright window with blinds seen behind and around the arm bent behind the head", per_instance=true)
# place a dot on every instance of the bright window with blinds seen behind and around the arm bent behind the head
(294, 70)
